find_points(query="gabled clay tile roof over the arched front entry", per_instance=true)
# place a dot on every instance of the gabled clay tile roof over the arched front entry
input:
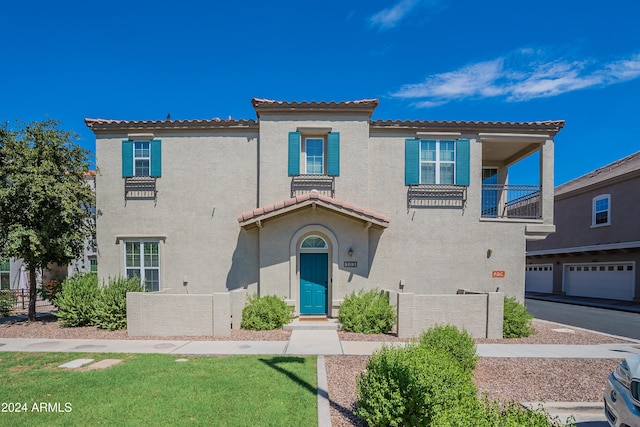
(250, 218)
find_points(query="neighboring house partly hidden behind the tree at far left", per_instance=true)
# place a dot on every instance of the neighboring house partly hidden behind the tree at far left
(10, 270)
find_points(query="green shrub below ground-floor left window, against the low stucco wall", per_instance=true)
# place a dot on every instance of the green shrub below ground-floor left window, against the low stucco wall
(111, 306)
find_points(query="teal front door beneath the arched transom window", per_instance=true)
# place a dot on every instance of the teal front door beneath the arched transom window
(313, 283)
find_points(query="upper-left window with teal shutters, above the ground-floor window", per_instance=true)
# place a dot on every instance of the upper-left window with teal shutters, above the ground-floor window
(141, 158)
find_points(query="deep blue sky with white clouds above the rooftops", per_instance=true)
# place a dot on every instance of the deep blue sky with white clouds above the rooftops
(574, 60)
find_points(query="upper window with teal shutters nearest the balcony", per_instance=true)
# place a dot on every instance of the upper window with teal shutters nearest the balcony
(433, 161)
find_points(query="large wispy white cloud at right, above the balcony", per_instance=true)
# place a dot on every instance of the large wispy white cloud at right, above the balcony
(507, 77)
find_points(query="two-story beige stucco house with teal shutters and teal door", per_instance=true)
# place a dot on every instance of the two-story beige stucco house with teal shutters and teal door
(314, 200)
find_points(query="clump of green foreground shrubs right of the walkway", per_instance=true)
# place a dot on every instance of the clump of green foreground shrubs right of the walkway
(431, 383)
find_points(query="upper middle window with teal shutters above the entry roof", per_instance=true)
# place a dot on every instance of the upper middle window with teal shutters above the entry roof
(314, 154)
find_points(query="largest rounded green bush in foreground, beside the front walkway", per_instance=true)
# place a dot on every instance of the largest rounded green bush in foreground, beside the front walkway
(408, 386)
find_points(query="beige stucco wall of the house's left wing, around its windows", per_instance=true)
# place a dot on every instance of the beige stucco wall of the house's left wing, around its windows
(207, 180)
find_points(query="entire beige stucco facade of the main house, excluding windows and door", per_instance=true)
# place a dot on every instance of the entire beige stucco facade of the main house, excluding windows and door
(209, 178)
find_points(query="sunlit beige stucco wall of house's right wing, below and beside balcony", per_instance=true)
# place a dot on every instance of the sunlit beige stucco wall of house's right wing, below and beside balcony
(439, 250)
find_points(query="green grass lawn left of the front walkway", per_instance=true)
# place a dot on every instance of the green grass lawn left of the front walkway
(155, 390)
